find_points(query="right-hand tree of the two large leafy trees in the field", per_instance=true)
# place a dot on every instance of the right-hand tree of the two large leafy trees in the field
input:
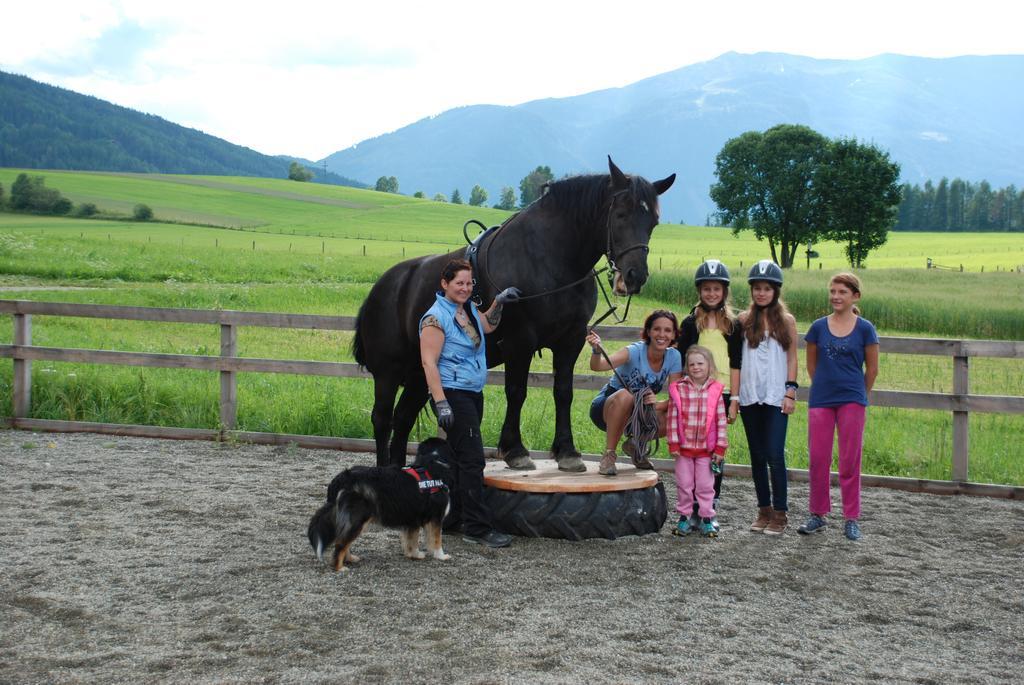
(861, 189)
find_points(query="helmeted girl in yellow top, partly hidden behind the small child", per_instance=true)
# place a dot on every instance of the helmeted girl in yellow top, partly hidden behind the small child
(712, 324)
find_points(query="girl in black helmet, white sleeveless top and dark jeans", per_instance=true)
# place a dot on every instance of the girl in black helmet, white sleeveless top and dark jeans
(769, 393)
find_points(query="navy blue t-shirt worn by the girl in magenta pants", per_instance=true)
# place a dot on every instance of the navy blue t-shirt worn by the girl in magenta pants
(839, 376)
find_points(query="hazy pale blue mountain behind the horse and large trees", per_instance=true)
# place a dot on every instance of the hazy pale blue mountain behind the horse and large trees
(952, 117)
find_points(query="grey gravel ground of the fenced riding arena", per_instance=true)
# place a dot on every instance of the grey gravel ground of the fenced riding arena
(139, 561)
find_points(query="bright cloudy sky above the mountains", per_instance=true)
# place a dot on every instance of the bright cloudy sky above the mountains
(311, 78)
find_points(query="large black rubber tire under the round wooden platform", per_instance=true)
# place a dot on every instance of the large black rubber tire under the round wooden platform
(578, 516)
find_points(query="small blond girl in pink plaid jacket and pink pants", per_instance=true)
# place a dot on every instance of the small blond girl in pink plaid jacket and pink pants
(697, 434)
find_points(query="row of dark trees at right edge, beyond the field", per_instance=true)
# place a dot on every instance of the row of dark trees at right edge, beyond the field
(960, 205)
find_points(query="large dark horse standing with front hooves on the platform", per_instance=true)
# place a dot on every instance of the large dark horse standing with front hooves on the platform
(553, 243)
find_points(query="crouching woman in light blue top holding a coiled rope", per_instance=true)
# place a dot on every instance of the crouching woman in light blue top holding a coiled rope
(648, 367)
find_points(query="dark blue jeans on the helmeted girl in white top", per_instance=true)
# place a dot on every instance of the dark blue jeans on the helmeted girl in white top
(765, 427)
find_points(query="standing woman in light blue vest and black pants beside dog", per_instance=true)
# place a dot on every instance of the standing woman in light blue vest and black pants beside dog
(455, 363)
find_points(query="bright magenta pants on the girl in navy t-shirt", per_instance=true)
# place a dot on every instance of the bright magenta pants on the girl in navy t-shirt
(823, 423)
